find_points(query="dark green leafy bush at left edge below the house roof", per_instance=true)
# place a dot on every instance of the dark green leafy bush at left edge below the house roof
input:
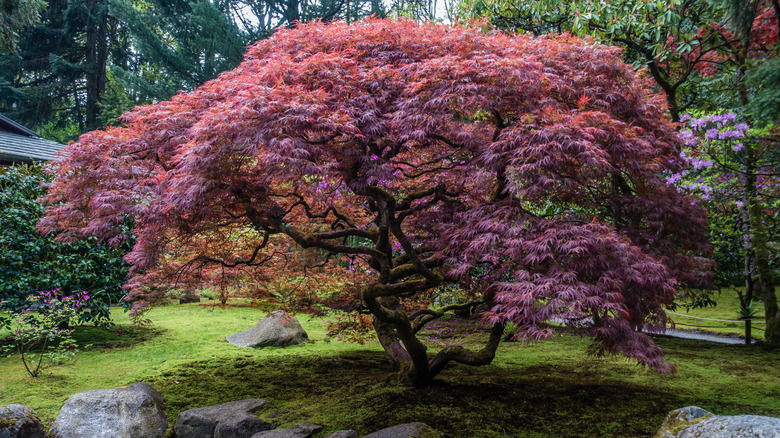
(34, 262)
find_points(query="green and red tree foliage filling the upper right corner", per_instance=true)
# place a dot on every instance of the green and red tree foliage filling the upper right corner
(698, 52)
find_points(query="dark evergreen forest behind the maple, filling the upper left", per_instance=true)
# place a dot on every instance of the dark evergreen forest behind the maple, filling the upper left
(71, 66)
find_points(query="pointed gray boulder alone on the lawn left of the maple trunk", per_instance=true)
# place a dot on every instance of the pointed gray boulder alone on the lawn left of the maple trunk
(277, 329)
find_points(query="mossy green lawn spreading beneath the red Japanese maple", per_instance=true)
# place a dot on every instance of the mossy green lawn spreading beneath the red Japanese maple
(536, 390)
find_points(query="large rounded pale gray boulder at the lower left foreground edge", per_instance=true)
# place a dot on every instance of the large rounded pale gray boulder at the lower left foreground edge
(137, 411)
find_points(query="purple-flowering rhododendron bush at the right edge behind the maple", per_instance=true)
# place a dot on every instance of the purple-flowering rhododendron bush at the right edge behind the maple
(718, 148)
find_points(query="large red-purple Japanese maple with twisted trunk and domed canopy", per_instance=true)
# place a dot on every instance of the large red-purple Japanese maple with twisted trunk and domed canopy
(410, 156)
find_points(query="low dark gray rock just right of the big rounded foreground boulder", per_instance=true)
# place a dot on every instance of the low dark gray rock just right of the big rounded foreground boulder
(228, 420)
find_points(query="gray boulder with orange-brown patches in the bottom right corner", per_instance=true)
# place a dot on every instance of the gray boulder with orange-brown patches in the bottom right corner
(695, 422)
